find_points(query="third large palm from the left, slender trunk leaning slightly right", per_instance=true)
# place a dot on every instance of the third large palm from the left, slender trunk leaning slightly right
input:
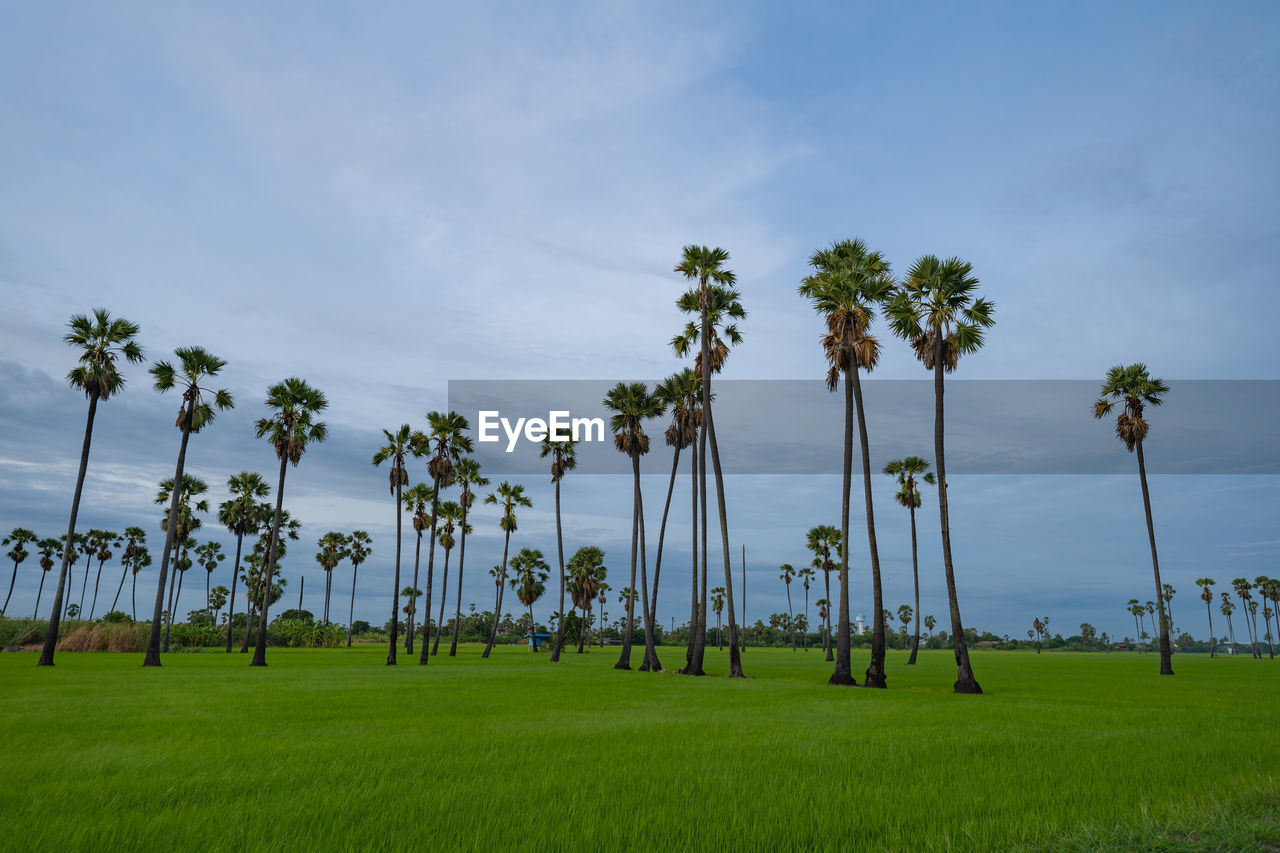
(291, 428)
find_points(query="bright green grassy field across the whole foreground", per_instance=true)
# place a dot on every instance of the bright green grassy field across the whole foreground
(331, 750)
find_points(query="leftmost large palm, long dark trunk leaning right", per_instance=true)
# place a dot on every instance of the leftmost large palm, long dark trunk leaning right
(102, 343)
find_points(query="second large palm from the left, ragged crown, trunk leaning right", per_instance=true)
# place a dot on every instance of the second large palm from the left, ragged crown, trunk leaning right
(195, 366)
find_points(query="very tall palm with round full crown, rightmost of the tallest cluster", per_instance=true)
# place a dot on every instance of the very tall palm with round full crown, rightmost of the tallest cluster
(936, 312)
